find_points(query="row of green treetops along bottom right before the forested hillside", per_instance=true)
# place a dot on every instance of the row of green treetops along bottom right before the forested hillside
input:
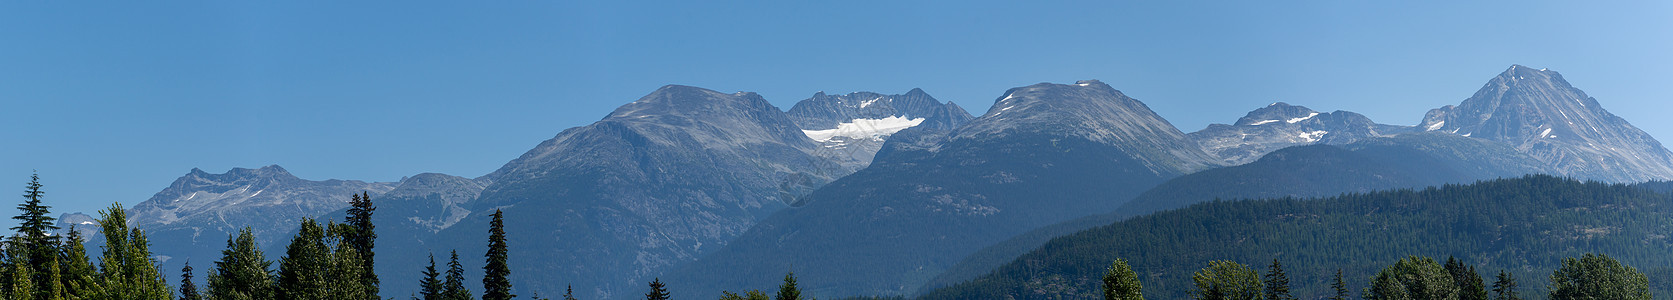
(1589, 277)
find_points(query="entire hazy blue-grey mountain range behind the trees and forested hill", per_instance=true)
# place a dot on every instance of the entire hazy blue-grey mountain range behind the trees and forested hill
(881, 195)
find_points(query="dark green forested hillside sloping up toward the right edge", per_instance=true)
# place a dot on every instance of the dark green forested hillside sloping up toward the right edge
(1525, 227)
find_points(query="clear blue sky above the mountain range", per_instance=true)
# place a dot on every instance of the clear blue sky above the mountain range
(116, 100)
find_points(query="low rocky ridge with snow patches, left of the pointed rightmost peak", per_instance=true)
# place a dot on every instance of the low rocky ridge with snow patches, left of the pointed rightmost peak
(1281, 127)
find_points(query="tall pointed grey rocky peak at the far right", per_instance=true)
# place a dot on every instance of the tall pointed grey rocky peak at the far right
(1542, 115)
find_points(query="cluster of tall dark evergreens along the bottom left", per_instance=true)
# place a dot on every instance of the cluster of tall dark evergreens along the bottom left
(324, 262)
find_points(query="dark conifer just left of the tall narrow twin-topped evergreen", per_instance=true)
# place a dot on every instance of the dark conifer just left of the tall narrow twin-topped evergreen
(305, 267)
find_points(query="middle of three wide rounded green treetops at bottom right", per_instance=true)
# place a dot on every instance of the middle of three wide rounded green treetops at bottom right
(1413, 279)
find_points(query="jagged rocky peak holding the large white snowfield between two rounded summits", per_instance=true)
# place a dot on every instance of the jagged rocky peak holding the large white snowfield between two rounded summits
(852, 128)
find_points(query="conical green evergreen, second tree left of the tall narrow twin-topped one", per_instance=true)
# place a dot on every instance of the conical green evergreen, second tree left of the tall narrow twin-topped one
(243, 272)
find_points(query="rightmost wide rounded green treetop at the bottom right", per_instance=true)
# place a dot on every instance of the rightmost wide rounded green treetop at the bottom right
(1599, 277)
